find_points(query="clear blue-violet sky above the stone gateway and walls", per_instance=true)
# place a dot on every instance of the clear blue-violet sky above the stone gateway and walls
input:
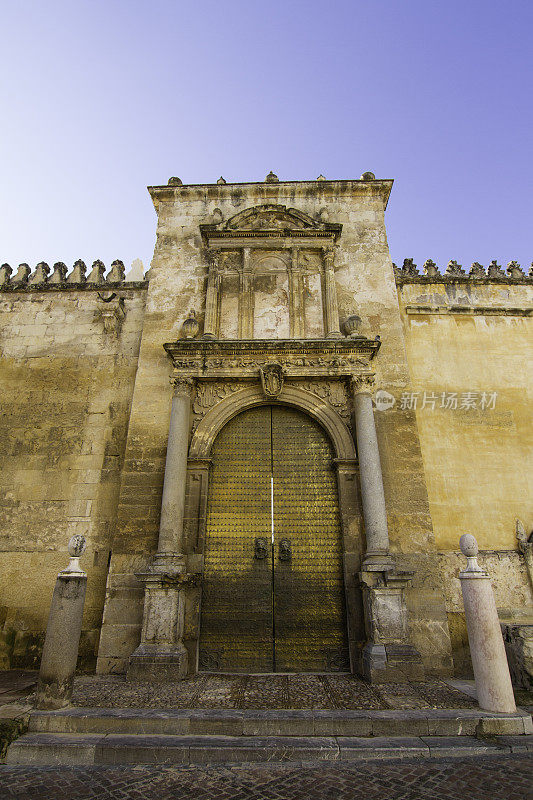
(99, 99)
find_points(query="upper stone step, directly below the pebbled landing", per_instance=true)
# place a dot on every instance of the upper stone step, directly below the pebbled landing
(250, 722)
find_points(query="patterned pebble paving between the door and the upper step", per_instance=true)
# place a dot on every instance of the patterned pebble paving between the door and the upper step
(266, 691)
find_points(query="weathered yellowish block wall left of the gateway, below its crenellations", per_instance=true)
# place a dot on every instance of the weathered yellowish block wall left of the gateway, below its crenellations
(65, 392)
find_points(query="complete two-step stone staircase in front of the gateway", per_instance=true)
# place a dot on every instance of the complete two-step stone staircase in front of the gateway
(81, 736)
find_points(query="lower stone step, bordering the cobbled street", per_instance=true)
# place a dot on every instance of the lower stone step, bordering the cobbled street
(91, 748)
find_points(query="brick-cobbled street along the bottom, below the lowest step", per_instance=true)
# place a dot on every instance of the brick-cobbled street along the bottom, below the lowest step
(494, 778)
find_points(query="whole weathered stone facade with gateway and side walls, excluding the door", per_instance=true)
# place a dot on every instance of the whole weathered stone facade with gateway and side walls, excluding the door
(296, 302)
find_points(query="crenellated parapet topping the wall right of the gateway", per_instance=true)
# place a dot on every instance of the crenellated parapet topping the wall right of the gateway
(455, 273)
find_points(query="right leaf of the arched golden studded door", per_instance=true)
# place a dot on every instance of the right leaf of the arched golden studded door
(309, 604)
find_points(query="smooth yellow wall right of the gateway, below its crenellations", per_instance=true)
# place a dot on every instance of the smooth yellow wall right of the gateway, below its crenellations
(463, 337)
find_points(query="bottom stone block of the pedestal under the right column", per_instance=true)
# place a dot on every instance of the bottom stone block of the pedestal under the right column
(391, 663)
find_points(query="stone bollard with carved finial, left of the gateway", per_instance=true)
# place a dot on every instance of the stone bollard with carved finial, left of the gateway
(60, 651)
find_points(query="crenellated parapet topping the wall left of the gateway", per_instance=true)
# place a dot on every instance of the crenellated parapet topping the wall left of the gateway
(44, 278)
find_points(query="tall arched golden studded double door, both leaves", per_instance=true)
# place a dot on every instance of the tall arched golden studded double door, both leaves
(273, 590)
